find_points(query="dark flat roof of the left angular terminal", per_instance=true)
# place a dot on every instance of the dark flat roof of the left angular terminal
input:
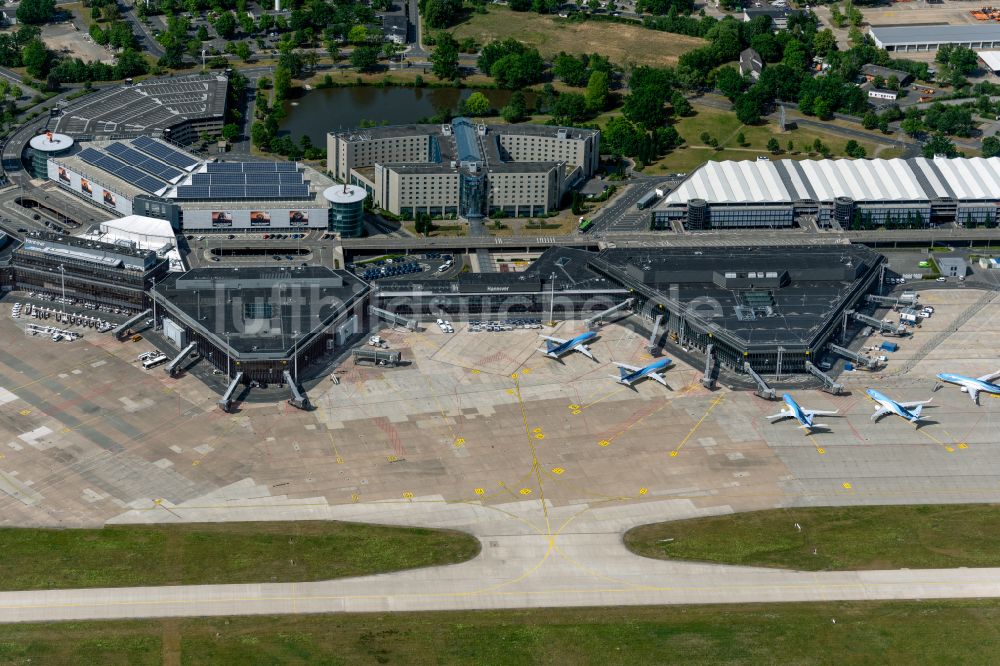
(262, 308)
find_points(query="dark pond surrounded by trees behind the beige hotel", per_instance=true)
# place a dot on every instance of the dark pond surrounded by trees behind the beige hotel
(324, 110)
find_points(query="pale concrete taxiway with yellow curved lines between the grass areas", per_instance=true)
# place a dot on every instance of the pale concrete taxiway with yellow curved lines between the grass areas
(560, 556)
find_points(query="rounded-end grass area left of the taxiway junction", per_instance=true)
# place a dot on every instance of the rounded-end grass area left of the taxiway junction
(191, 554)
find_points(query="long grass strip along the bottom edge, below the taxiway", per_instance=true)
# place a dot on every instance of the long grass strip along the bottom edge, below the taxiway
(925, 632)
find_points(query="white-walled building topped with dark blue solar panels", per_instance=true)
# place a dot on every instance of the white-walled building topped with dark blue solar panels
(153, 178)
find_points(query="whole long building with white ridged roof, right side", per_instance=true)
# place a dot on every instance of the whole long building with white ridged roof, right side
(779, 193)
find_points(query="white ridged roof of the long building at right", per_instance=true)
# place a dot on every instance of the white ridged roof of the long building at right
(785, 181)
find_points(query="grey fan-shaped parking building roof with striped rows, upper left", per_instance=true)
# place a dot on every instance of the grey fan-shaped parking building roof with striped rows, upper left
(146, 107)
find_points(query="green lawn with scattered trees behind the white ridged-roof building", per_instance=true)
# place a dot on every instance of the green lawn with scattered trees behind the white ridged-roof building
(724, 127)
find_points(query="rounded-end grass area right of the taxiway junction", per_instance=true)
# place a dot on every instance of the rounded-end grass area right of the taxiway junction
(833, 538)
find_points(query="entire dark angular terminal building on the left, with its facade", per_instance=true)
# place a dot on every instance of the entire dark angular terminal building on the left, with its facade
(258, 322)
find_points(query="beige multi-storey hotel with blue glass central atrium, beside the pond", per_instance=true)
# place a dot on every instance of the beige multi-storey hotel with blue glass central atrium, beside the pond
(462, 169)
